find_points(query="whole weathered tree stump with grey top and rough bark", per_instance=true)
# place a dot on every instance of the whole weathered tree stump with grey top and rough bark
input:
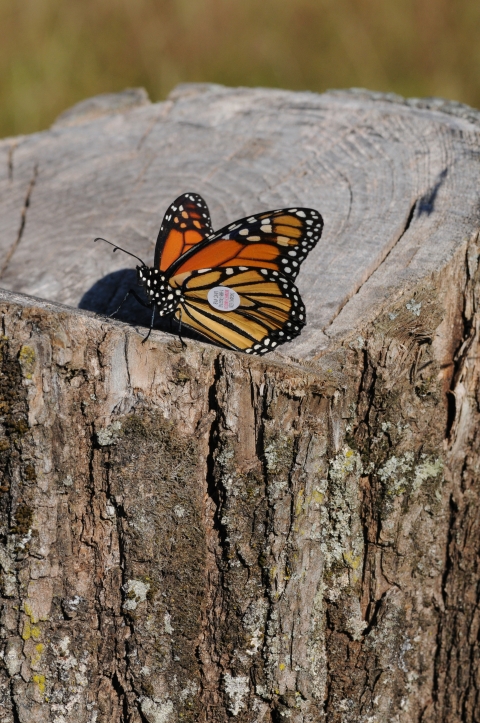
(199, 535)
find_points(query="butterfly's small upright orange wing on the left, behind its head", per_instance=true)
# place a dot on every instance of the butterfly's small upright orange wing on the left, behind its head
(185, 224)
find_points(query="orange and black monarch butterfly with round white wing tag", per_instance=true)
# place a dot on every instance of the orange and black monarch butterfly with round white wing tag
(233, 286)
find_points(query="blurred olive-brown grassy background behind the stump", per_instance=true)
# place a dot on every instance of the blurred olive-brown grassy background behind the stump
(54, 53)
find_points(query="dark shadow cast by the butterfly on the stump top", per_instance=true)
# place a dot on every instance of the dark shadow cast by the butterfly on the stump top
(106, 295)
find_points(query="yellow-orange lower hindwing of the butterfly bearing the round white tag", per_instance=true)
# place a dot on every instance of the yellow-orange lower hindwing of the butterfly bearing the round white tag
(270, 310)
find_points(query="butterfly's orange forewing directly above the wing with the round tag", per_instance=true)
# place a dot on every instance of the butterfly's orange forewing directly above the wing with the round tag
(277, 240)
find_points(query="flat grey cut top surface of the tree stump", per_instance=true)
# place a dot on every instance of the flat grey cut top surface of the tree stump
(396, 184)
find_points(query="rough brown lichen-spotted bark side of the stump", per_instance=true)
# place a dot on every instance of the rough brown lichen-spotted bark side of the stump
(194, 535)
